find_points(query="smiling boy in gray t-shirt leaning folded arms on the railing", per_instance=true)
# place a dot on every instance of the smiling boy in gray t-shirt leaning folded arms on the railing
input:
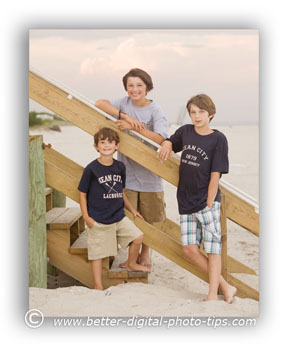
(135, 112)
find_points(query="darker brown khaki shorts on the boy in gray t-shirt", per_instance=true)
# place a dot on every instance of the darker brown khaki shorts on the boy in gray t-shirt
(150, 205)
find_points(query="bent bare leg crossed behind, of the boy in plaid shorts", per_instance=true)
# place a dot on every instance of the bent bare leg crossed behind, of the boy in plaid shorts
(193, 253)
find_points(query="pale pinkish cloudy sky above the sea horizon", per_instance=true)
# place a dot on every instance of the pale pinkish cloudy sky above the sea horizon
(223, 64)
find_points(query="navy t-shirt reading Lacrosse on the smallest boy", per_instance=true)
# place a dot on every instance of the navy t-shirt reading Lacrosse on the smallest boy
(104, 187)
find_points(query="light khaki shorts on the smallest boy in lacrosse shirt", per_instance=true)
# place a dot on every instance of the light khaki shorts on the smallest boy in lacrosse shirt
(103, 239)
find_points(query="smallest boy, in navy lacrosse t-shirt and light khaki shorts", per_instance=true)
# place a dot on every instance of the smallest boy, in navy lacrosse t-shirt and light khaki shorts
(102, 202)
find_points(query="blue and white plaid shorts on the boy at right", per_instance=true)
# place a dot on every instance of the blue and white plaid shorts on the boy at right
(203, 226)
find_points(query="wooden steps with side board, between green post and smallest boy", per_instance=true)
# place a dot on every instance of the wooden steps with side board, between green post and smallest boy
(64, 226)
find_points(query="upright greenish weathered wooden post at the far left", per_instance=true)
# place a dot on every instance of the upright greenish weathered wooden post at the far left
(37, 215)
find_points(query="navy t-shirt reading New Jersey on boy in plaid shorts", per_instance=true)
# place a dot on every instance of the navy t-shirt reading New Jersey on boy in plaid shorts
(201, 155)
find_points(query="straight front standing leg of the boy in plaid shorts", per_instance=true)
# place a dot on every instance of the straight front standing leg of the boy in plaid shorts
(214, 272)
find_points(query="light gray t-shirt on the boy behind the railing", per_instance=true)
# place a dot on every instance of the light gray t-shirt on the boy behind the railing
(139, 178)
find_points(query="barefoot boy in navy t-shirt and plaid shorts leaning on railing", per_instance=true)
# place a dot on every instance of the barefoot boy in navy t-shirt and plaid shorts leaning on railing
(204, 159)
